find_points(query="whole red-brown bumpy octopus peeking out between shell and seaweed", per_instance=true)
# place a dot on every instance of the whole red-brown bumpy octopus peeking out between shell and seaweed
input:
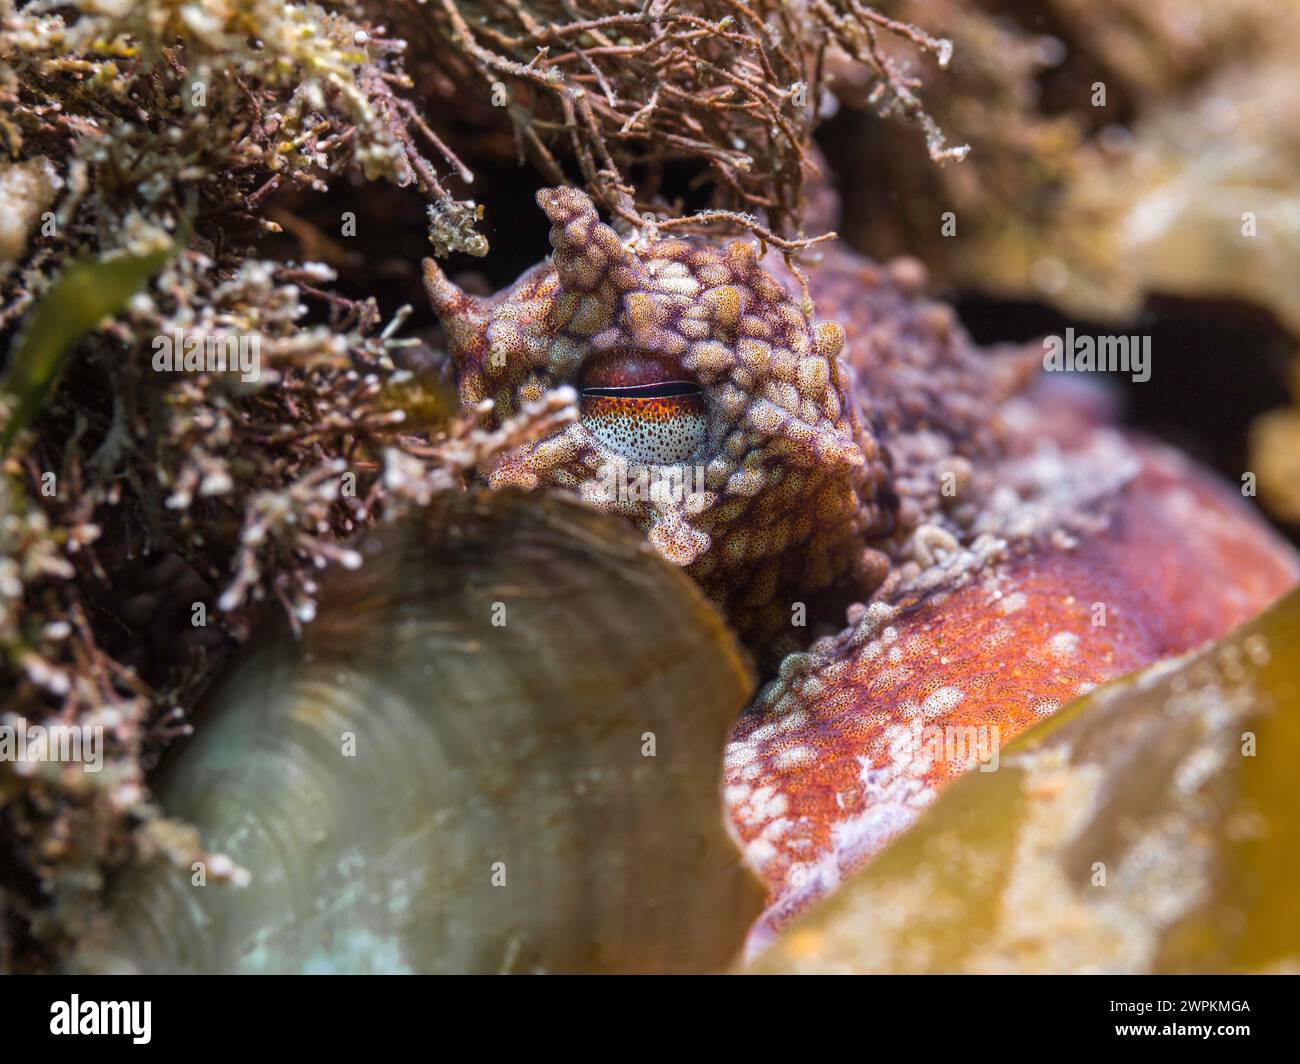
(1006, 550)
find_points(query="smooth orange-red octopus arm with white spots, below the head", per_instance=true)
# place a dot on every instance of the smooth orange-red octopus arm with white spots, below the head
(852, 743)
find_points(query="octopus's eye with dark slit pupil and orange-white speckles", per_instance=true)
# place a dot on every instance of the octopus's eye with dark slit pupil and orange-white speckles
(644, 410)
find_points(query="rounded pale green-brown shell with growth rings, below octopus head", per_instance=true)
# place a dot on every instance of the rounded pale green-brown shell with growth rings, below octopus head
(484, 751)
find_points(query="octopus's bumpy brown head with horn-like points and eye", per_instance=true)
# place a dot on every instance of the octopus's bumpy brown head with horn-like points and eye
(714, 413)
